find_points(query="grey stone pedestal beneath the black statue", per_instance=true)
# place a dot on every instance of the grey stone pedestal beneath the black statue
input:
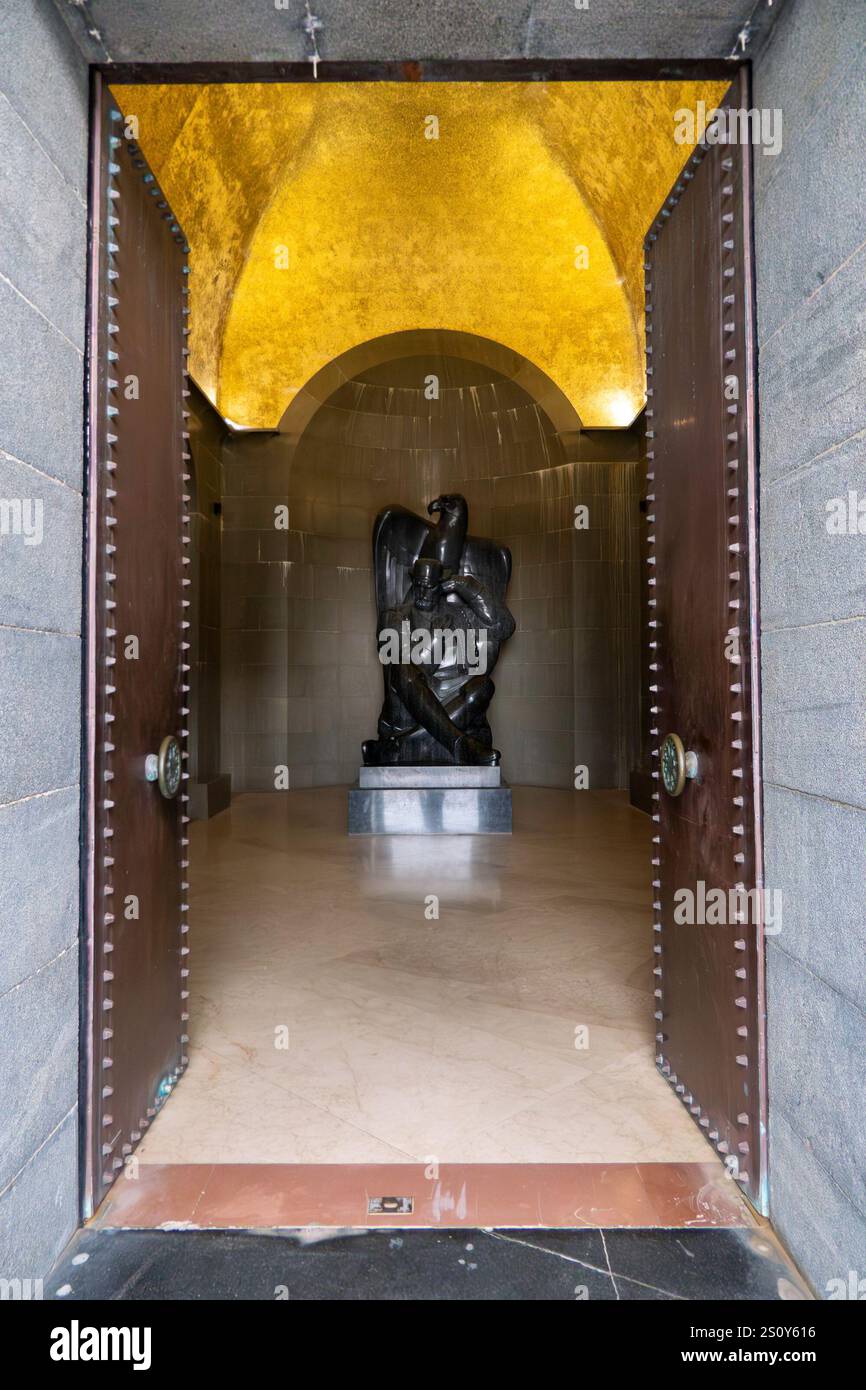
(430, 801)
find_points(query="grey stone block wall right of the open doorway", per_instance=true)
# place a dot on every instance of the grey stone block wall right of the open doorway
(811, 320)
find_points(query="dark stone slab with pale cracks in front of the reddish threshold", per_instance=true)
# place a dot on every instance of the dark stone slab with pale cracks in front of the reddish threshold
(586, 1266)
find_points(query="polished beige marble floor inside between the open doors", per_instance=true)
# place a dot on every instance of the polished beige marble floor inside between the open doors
(419, 1000)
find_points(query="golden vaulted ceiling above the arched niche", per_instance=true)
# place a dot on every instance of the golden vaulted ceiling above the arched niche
(323, 215)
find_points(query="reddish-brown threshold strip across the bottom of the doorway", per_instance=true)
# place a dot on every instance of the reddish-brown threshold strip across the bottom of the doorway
(377, 1196)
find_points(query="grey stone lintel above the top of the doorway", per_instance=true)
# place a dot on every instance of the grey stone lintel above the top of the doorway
(156, 31)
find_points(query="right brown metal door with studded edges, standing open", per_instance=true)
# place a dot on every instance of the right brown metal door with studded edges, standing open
(704, 654)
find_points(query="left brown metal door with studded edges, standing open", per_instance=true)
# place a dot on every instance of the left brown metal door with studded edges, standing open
(138, 601)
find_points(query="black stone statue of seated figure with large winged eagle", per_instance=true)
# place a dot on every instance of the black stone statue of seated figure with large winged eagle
(443, 621)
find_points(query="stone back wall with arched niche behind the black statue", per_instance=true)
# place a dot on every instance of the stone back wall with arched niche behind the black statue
(400, 420)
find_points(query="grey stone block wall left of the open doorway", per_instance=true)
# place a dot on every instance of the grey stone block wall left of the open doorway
(44, 179)
